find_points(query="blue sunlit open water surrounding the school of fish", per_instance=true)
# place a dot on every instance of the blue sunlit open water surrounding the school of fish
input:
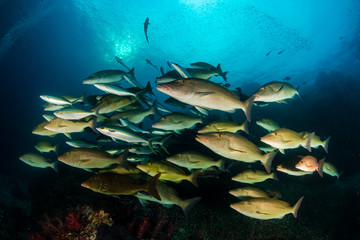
(49, 47)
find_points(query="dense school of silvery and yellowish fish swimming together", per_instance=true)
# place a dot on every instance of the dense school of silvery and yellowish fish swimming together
(128, 159)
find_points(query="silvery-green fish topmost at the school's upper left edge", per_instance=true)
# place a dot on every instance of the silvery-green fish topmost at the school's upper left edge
(107, 76)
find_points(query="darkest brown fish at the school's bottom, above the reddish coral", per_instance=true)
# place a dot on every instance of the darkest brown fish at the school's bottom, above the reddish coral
(117, 184)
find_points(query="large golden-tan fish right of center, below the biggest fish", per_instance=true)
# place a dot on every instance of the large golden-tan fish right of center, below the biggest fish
(235, 147)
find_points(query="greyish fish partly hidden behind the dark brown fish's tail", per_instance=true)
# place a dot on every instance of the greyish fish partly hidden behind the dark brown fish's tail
(169, 196)
